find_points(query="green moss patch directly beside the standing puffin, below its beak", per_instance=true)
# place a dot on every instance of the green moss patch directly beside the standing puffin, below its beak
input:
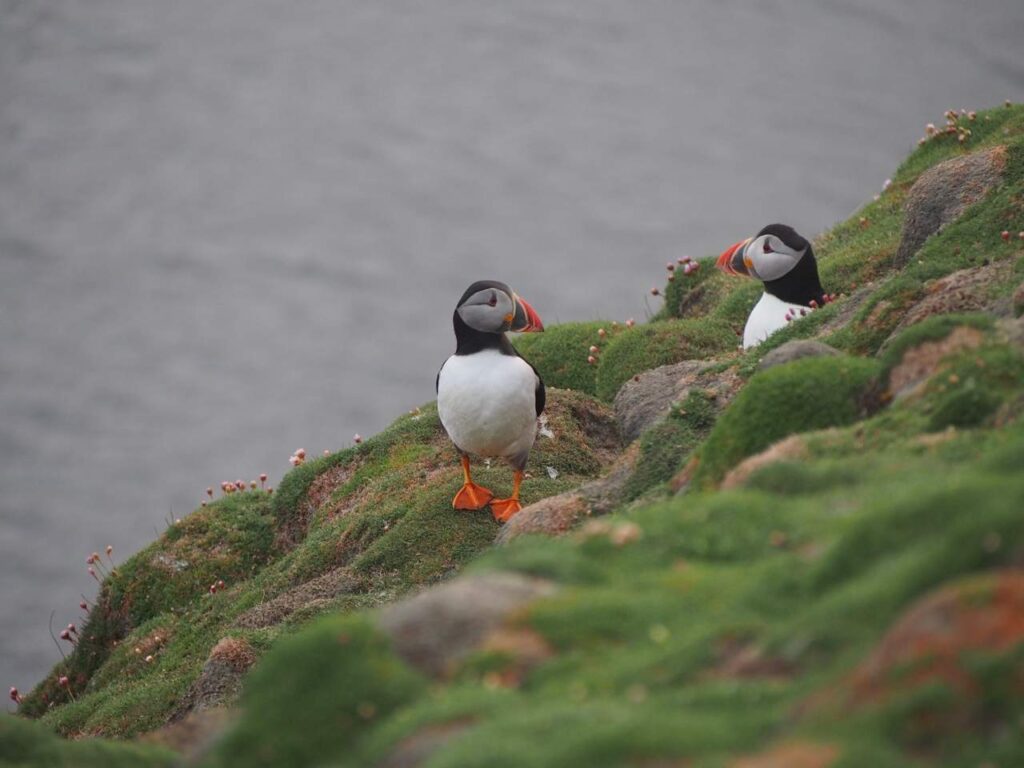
(561, 354)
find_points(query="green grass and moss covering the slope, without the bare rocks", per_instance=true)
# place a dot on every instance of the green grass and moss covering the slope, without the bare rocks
(723, 623)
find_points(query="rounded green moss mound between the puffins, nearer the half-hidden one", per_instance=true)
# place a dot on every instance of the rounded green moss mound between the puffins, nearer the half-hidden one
(645, 348)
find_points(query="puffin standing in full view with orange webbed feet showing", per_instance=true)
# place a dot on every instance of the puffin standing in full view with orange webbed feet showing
(489, 397)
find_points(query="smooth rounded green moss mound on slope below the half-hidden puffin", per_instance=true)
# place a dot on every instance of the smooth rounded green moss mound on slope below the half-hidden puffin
(813, 394)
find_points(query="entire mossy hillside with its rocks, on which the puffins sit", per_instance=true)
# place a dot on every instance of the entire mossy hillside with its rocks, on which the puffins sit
(818, 565)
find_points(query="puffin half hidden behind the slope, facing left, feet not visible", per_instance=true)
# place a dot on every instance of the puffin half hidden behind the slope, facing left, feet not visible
(785, 263)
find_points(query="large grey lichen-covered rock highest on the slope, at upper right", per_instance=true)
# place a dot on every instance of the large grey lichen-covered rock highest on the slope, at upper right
(943, 194)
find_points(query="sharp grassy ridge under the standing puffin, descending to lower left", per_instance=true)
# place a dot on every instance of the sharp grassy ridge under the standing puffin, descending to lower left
(381, 513)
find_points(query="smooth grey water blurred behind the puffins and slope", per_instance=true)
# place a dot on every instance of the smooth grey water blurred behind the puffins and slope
(232, 230)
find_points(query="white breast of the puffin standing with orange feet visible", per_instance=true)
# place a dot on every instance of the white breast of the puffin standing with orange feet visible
(487, 403)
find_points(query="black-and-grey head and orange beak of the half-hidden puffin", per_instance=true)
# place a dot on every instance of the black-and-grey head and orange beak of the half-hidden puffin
(781, 259)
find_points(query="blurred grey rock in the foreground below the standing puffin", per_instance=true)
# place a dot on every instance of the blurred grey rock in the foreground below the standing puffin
(436, 629)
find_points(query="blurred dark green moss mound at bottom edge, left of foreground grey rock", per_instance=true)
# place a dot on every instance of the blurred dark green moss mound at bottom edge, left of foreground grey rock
(316, 696)
